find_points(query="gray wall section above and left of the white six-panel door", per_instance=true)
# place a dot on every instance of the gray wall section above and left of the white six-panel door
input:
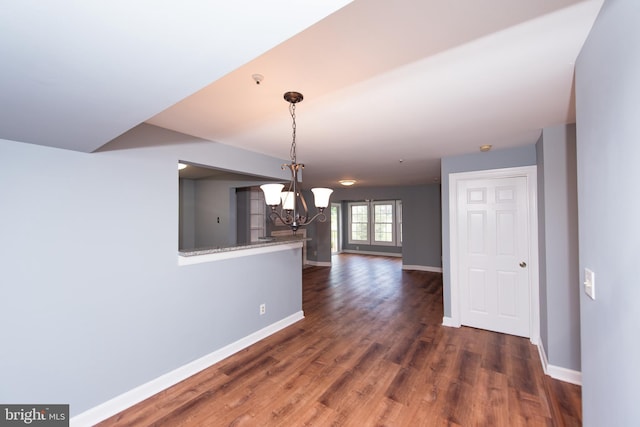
(496, 159)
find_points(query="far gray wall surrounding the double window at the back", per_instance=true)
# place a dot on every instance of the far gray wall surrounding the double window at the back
(421, 220)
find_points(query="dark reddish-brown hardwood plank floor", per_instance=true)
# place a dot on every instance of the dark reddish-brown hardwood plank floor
(371, 351)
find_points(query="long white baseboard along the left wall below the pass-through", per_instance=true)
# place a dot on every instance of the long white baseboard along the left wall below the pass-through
(144, 391)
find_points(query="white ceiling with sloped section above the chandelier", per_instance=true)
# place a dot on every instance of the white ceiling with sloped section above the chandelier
(410, 80)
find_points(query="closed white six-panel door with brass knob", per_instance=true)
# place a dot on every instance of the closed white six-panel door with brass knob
(493, 244)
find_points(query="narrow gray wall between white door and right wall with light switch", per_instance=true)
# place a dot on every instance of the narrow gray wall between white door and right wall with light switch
(558, 246)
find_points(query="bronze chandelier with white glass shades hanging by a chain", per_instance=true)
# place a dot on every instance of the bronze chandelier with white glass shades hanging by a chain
(294, 211)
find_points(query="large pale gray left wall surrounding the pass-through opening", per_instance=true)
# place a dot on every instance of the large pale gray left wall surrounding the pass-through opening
(94, 303)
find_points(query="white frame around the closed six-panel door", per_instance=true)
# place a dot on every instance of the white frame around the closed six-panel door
(530, 174)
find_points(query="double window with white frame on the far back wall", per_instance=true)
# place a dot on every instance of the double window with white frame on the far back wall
(375, 223)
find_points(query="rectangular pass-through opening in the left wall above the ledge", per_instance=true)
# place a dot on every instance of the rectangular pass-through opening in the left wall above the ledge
(219, 208)
